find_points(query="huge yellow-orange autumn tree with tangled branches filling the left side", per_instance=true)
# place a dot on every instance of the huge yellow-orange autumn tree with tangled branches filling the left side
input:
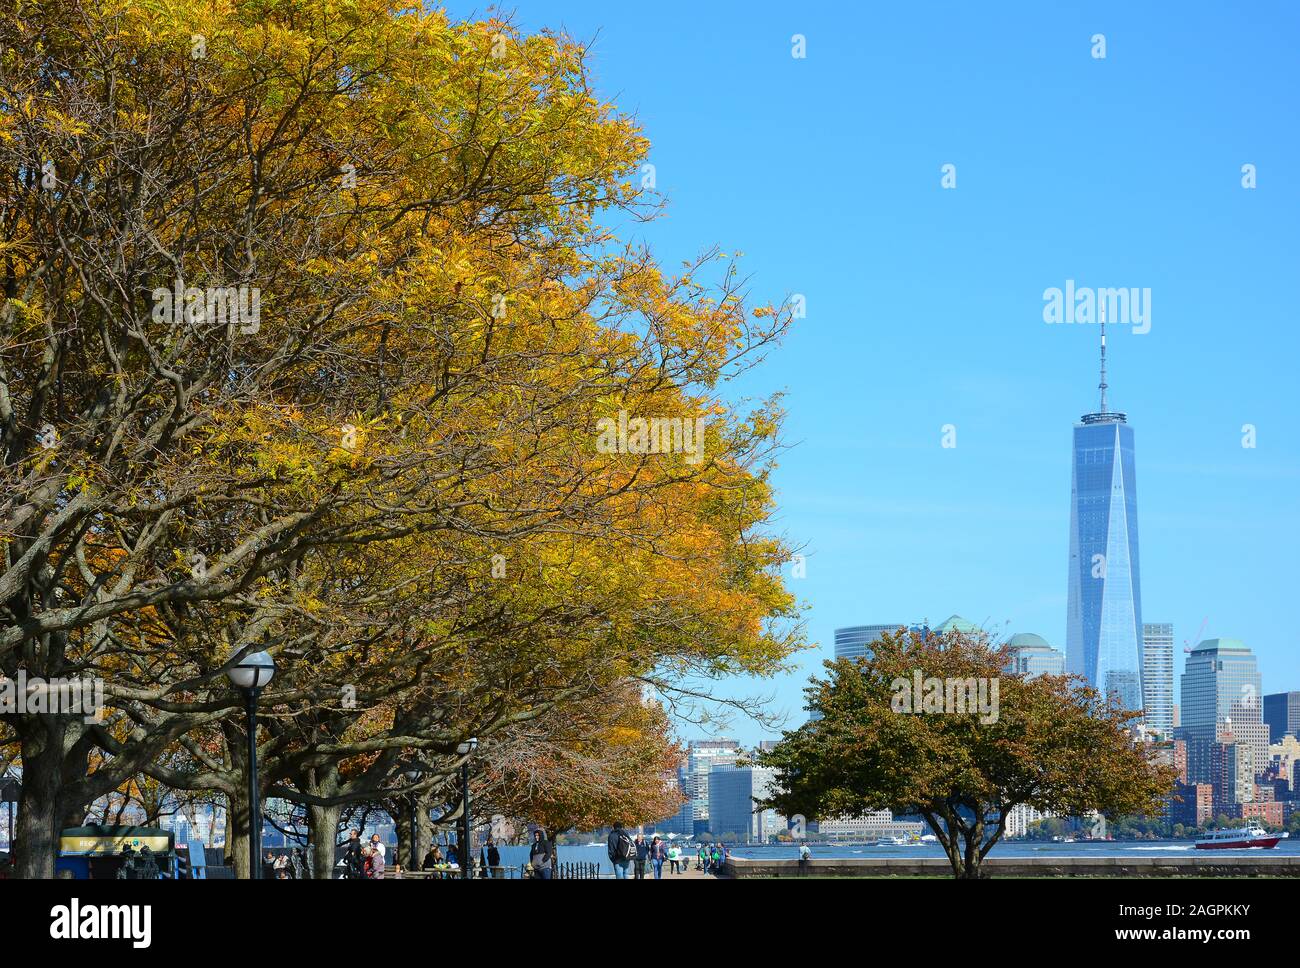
(310, 322)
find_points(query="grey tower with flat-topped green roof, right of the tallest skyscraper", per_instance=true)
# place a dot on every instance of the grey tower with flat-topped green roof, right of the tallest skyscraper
(1221, 705)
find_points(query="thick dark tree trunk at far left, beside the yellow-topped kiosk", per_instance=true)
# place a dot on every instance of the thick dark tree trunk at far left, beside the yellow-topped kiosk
(40, 810)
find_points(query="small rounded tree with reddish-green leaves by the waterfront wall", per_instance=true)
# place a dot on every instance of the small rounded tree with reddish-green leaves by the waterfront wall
(911, 731)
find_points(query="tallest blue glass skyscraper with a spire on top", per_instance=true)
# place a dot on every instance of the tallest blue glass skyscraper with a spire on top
(1104, 611)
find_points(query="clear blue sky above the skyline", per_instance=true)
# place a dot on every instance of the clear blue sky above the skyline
(925, 306)
